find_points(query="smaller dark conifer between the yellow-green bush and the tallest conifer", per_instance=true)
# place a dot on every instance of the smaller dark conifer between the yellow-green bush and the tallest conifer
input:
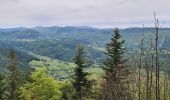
(81, 84)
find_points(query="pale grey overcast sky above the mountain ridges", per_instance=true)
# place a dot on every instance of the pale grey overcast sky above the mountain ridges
(95, 13)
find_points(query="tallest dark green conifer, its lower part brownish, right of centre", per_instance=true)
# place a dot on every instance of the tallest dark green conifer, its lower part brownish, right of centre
(116, 72)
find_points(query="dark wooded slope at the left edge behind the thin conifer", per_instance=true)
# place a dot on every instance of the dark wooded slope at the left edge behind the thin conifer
(22, 58)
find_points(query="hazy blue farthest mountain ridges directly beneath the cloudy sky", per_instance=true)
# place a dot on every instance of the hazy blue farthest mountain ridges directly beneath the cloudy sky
(94, 35)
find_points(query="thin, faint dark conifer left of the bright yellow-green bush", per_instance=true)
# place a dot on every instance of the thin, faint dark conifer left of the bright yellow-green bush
(13, 76)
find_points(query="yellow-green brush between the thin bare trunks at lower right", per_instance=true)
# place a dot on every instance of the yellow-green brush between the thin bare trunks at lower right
(164, 84)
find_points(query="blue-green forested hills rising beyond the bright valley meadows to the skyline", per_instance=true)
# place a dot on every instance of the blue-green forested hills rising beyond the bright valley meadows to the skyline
(60, 42)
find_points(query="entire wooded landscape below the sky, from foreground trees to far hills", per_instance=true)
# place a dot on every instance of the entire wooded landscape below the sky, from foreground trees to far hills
(84, 63)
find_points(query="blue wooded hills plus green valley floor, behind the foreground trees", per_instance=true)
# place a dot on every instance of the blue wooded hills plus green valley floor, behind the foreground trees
(54, 47)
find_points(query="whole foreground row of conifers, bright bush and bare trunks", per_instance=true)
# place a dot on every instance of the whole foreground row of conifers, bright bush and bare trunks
(126, 75)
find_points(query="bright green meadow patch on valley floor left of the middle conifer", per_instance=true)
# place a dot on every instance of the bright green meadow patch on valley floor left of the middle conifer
(58, 69)
